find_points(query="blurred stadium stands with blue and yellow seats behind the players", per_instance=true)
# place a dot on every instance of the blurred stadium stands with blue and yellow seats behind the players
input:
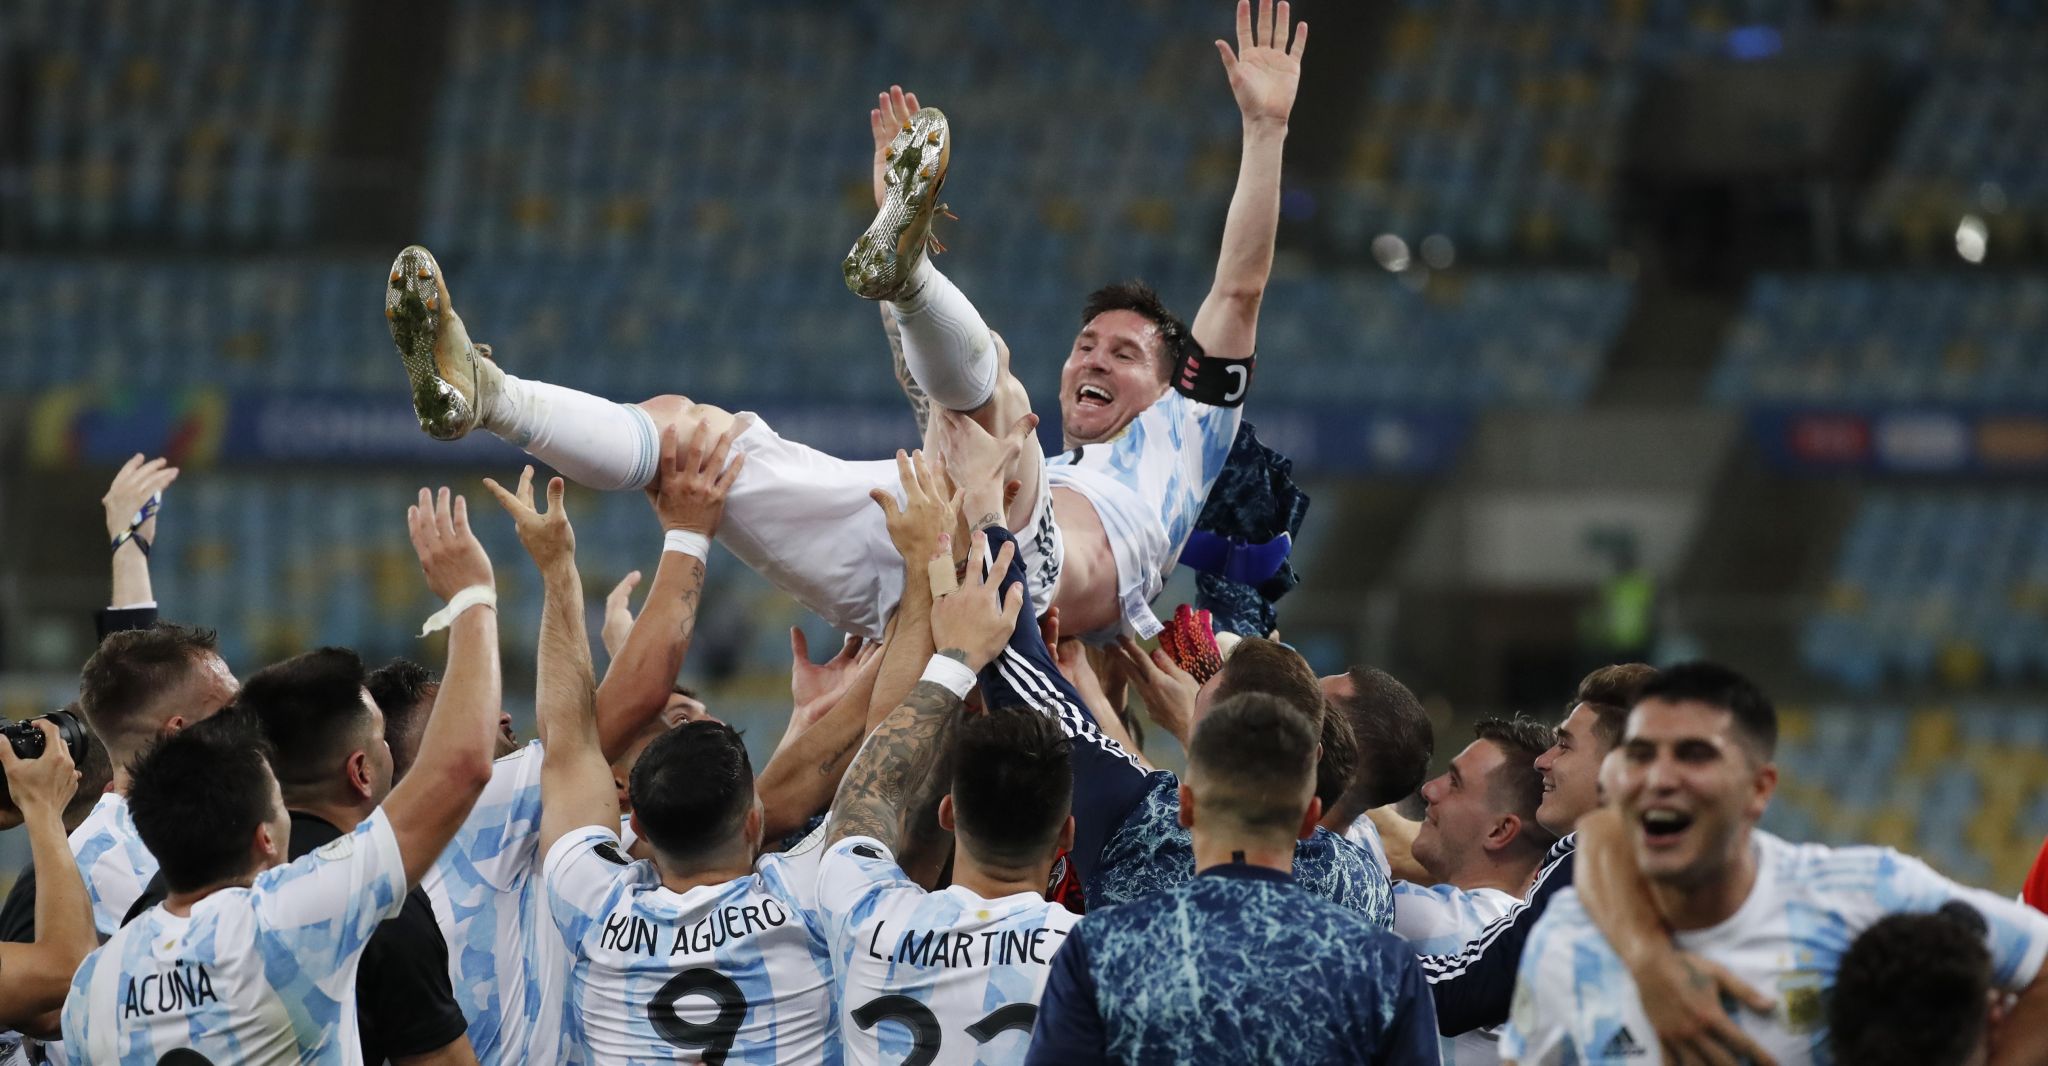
(1603, 328)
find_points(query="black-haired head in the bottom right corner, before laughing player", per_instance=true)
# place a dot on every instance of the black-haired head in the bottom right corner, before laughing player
(1912, 991)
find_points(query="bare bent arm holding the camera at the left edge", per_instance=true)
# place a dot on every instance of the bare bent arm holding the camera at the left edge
(40, 975)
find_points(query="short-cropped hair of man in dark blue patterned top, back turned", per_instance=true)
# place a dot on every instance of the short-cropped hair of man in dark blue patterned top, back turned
(1252, 756)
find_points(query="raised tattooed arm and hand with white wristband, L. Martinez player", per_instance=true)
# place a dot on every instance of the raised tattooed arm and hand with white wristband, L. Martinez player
(972, 623)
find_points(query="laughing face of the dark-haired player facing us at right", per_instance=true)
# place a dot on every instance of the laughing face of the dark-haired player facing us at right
(1689, 789)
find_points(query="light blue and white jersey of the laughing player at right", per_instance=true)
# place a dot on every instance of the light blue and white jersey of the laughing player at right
(1578, 1004)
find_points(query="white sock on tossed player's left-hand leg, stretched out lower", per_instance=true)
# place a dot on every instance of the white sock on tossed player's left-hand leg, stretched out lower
(593, 441)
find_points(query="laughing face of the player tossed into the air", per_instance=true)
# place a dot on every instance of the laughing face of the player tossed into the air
(1111, 377)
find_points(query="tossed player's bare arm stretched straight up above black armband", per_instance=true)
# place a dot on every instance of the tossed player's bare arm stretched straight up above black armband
(1265, 75)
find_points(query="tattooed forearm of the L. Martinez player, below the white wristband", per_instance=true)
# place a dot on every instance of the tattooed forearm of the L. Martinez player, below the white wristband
(876, 797)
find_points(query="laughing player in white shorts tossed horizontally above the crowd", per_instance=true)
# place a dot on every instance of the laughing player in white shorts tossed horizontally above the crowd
(1148, 406)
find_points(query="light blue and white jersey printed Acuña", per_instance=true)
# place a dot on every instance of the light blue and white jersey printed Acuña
(253, 975)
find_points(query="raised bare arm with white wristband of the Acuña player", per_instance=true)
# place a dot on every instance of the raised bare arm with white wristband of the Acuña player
(456, 750)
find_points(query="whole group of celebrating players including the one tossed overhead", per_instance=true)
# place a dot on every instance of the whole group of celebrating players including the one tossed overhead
(957, 854)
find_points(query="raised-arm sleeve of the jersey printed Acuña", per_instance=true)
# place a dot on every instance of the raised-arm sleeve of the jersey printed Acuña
(329, 901)
